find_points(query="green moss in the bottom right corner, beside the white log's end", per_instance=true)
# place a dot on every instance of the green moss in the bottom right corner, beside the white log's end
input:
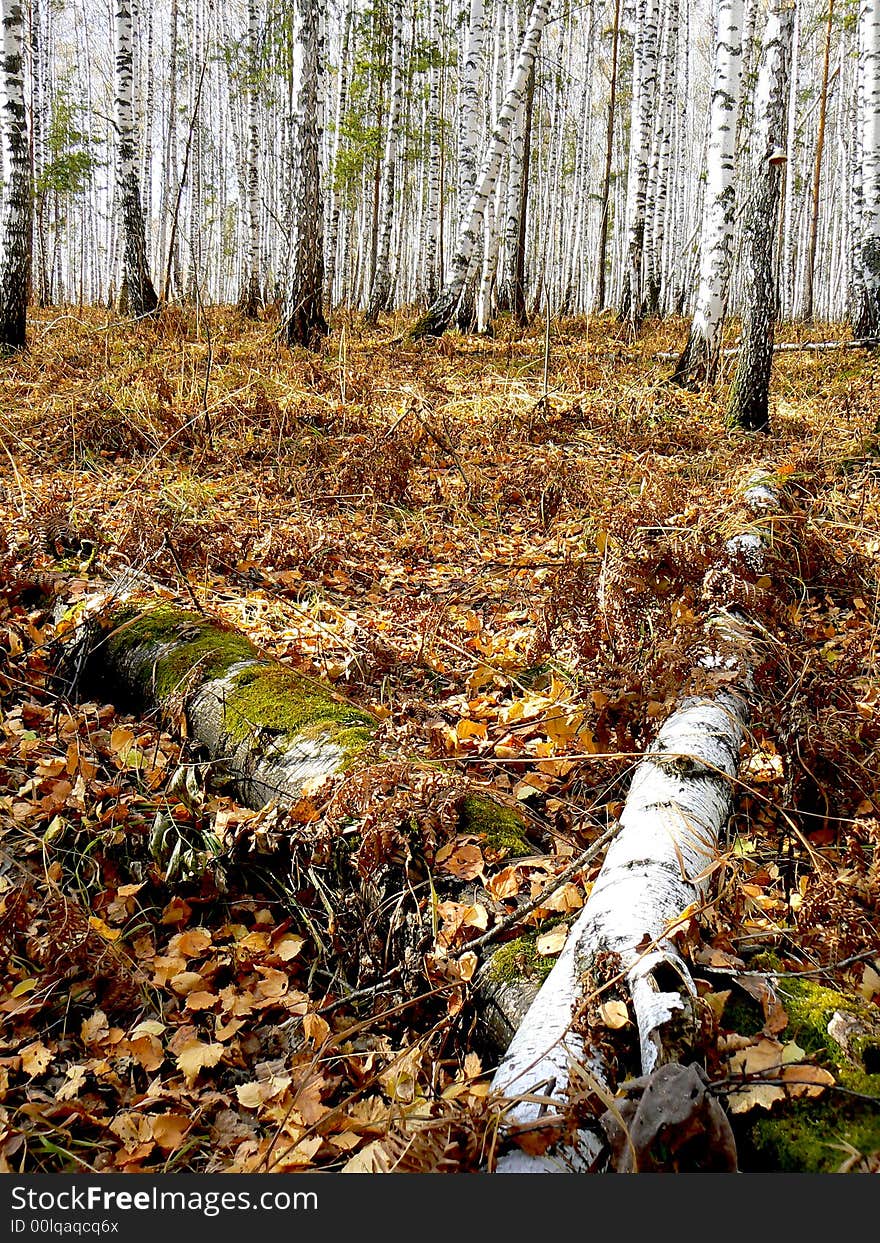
(841, 1129)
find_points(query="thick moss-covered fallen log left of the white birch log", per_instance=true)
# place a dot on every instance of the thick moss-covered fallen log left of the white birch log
(269, 732)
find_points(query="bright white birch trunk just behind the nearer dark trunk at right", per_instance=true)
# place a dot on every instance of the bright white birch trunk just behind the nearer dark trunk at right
(700, 357)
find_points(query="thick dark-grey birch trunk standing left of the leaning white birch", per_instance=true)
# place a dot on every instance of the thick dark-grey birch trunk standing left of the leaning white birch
(304, 320)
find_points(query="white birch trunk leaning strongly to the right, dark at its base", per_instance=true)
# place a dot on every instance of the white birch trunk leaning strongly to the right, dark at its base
(439, 316)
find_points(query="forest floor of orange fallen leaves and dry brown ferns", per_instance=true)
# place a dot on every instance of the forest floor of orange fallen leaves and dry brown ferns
(422, 526)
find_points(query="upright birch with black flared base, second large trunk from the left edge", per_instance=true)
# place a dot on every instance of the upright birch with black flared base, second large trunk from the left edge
(137, 296)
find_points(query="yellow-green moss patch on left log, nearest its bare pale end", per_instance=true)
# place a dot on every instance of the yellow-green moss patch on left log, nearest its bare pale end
(268, 697)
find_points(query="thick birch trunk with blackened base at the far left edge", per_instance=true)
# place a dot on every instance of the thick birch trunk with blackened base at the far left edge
(18, 214)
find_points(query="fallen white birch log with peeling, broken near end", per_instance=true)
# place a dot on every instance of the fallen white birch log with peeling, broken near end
(657, 869)
